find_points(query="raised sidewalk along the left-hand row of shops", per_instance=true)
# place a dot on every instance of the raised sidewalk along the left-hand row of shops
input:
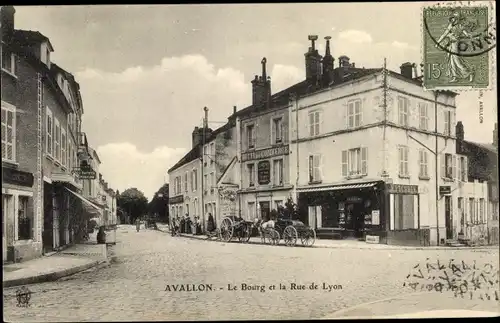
(48, 268)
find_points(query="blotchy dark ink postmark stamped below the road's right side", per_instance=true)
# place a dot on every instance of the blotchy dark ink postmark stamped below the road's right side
(461, 278)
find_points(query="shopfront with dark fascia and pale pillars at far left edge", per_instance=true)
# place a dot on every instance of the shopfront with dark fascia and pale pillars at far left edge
(20, 233)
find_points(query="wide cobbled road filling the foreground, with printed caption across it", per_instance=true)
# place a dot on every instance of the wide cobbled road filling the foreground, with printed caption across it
(133, 287)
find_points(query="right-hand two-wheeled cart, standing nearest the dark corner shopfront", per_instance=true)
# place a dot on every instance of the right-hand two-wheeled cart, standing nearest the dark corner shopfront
(292, 230)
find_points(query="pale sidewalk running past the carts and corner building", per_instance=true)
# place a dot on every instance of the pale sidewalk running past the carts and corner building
(340, 244)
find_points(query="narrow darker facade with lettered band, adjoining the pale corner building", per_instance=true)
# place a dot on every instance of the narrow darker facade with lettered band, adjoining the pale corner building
(263, 151)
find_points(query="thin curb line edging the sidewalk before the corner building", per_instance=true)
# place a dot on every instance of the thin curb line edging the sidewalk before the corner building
(350, 247)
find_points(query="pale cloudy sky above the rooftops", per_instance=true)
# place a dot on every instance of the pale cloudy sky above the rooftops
(146, 72)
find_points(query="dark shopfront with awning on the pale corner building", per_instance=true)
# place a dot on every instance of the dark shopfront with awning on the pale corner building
(343, 211)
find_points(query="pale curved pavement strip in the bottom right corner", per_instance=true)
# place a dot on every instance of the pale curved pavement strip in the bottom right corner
(422, 305)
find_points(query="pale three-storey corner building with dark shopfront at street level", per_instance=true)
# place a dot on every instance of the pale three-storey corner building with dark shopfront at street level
(375, 158)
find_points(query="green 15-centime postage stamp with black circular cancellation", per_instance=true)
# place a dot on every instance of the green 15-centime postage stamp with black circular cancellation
(459, 44)
